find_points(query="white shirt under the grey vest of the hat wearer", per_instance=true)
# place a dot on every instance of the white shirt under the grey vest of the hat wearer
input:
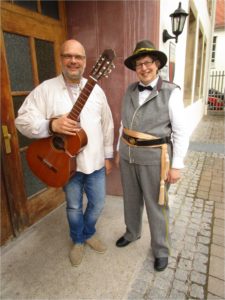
(178, 121)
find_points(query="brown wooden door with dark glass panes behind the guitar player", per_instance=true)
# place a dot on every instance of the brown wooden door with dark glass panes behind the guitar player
(31, 35)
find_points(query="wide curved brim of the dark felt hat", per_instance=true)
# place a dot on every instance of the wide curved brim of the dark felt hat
(130, 61)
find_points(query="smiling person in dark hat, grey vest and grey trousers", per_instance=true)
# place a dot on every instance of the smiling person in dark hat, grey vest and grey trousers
(152, 147)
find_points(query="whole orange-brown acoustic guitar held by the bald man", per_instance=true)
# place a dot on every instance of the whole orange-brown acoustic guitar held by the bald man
(53, 159)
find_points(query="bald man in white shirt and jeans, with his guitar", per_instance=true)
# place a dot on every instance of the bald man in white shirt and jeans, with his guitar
(46, 115)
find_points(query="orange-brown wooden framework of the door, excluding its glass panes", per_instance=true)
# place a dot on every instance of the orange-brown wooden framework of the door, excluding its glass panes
(18, 20)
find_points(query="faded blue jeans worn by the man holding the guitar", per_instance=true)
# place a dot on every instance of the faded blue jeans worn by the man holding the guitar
(82, 223)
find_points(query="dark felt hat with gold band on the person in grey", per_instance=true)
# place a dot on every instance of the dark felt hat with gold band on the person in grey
(145, 47)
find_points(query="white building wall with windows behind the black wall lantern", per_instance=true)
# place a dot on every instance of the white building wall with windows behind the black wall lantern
(195, 39)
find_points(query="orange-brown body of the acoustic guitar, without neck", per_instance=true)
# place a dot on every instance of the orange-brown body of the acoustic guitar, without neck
(53, 159)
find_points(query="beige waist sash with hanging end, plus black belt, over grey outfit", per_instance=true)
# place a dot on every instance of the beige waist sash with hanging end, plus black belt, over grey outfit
(135, 138)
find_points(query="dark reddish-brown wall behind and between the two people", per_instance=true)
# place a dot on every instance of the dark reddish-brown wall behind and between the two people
(118, 25)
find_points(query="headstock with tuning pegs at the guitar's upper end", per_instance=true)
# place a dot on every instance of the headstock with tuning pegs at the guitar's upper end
(104, 65)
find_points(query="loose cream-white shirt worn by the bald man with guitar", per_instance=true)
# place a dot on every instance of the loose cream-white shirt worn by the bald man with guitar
(51, 99)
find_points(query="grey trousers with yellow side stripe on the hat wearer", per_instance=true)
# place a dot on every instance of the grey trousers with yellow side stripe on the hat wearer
(141, 186)
